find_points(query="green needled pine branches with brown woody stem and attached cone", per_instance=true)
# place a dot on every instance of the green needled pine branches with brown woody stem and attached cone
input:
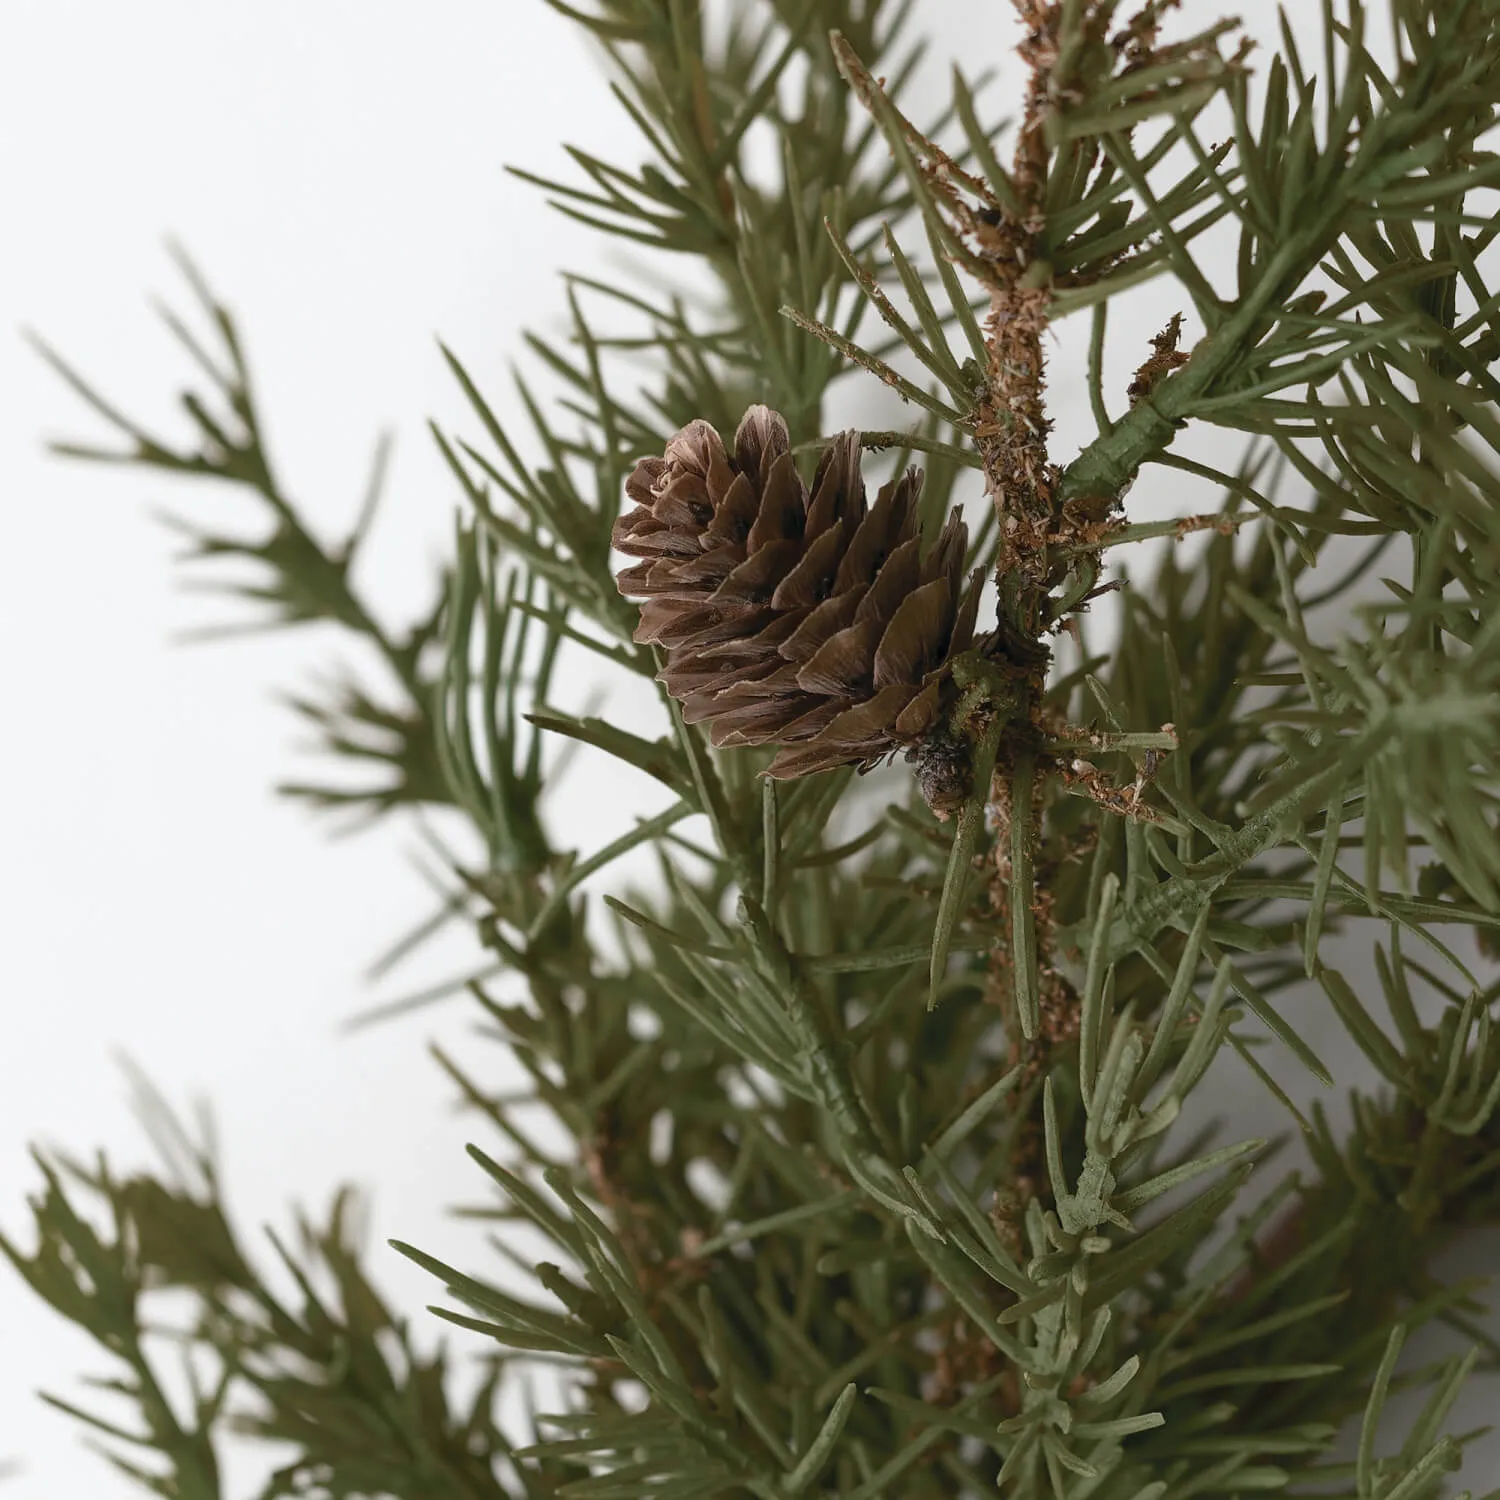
(877, 1183)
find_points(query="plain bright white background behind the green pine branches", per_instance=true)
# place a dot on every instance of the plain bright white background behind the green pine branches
(337, 169)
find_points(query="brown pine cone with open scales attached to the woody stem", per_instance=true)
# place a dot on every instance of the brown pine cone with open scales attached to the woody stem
(794, 617)
